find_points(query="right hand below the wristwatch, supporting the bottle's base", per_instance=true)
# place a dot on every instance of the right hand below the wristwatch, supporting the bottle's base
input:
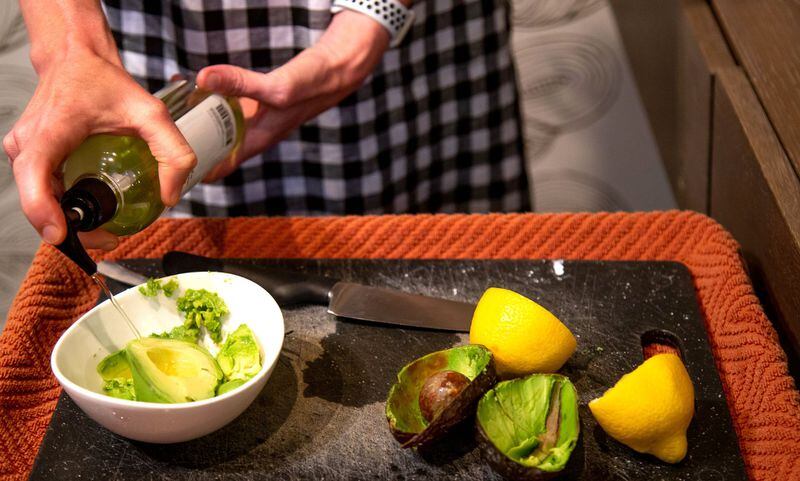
(318, 78)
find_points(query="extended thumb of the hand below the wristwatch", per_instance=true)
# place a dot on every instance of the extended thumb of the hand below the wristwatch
(306, 75)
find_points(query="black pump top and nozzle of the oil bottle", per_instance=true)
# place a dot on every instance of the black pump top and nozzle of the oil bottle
(87, 205)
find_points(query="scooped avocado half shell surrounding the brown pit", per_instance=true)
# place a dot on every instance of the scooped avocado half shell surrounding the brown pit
(403, 412)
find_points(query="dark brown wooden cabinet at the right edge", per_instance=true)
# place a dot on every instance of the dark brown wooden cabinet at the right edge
(730, 139)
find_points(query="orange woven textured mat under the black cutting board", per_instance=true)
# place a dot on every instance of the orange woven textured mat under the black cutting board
(762, 398)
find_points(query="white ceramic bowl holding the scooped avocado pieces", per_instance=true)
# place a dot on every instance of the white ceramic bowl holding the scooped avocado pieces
(102, 331)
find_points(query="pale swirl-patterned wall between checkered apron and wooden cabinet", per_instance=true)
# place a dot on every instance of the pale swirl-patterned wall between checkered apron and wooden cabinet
(589, 145)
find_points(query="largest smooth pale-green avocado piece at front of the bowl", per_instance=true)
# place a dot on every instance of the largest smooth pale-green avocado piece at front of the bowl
(172, 371)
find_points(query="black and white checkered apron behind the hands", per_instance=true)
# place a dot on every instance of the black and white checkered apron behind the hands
(435, 128)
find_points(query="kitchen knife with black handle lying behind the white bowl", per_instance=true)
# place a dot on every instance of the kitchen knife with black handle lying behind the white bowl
(343, 299)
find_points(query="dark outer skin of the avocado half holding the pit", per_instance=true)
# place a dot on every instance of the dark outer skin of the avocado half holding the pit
(462, 407)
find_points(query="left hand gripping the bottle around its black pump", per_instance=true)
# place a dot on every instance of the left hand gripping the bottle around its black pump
(80, 93)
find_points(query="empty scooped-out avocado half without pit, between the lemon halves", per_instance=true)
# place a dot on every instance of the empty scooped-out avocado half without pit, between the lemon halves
(528, 428)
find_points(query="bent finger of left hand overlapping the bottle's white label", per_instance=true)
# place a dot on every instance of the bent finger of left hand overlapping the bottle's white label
(174, 155)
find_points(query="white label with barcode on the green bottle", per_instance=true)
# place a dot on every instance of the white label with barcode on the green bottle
(210, 129)
